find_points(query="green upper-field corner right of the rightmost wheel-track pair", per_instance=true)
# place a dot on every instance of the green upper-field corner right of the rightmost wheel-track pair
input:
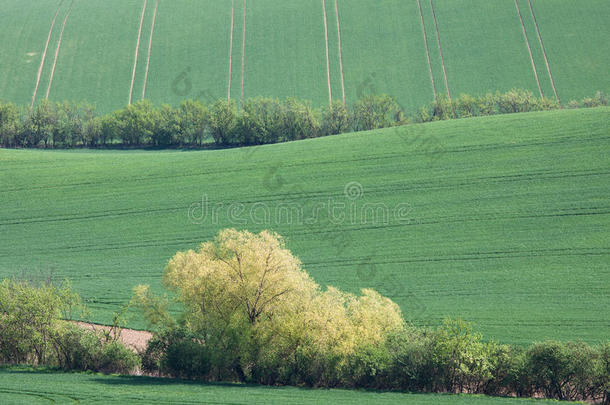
(575, 37)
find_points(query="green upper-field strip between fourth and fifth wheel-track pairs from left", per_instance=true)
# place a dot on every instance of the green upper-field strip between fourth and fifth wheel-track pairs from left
(384, 52)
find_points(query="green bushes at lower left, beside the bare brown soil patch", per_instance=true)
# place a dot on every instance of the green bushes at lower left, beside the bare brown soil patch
(34, 330)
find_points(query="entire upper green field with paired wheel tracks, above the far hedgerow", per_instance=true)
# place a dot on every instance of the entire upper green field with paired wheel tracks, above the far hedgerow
(167, 50)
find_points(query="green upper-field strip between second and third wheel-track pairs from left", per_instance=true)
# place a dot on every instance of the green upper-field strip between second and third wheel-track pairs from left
(190, 59)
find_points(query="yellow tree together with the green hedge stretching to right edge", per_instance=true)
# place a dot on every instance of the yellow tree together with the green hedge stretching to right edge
(251, 314)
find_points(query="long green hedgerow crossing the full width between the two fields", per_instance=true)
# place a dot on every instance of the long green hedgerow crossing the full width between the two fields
(258, 121)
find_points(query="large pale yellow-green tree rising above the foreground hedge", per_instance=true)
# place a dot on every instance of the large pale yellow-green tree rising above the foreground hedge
(247, 294)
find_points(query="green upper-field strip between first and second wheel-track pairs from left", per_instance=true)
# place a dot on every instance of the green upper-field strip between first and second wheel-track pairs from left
(97, 52)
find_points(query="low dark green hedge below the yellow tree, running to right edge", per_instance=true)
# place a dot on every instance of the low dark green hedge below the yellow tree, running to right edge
(448, 359)
